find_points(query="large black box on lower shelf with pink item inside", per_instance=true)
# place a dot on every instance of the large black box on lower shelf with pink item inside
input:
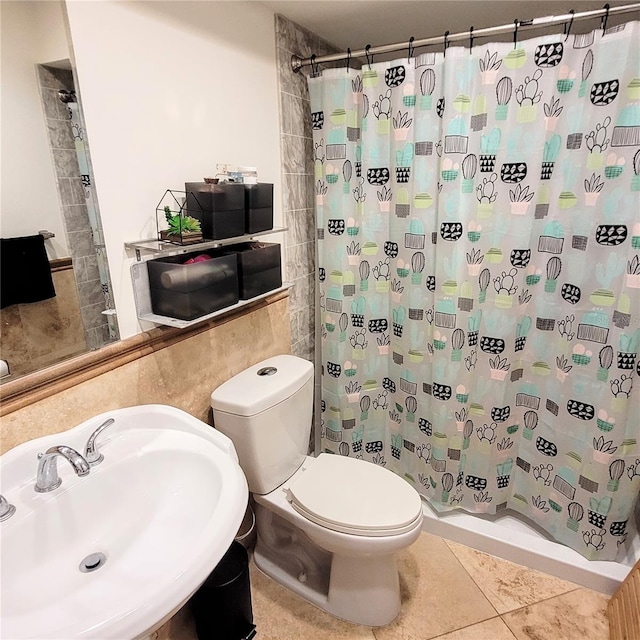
(189, 291)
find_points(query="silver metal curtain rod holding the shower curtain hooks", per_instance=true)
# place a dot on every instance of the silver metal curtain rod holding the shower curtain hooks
(297, 63)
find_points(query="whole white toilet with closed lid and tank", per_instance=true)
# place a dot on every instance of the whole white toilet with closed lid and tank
(328, 527)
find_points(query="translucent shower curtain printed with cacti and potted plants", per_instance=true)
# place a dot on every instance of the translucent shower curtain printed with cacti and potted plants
(479, 267)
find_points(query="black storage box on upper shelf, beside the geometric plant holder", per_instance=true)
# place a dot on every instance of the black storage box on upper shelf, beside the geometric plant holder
(220, 208)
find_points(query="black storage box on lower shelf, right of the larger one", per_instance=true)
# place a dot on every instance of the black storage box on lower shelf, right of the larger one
(259, 268)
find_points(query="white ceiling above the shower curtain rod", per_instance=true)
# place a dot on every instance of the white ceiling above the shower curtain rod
(356, 23)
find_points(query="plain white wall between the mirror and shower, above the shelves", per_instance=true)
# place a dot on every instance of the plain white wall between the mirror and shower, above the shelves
(168, 90)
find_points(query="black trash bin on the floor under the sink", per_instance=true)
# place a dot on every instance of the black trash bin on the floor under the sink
(222, 606)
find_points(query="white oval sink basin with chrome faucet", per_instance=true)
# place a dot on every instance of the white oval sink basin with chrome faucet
(163, 507)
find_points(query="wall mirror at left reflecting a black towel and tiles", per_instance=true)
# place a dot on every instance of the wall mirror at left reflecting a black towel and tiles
(47, 187)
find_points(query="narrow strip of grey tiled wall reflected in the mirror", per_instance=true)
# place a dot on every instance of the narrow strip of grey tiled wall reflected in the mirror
(73, 203)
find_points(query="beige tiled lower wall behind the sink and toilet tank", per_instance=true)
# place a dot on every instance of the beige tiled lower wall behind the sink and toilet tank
(182, 375)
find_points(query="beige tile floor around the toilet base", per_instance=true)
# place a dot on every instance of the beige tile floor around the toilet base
(449, 592)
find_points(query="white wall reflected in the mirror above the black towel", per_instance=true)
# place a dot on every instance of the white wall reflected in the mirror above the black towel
(31, 33)
